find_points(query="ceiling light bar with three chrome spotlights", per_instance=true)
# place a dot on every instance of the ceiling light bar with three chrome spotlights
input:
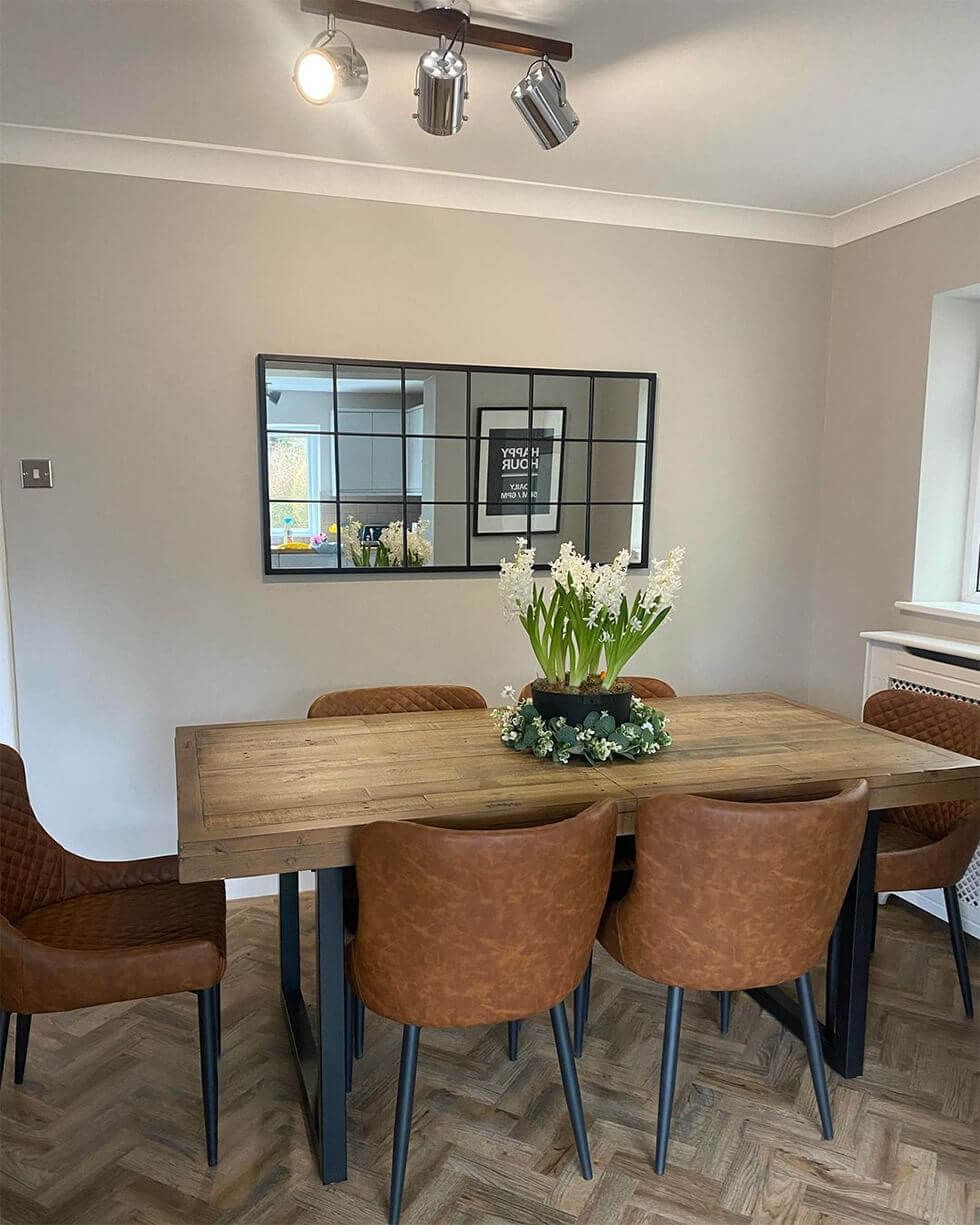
(331, 69)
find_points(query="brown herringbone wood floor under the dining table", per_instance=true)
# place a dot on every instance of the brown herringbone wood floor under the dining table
(107, 1126)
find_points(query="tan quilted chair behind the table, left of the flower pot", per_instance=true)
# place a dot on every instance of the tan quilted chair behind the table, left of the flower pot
(384, 700)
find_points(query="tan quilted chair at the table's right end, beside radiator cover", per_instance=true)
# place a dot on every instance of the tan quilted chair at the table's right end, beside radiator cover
(930, 846)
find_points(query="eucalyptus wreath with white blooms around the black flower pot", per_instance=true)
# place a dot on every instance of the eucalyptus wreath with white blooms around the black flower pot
(596, 741)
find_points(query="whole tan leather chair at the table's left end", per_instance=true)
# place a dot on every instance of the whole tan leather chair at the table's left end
(78, 933)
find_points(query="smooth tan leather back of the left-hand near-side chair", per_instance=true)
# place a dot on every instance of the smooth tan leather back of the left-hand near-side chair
(477, 927)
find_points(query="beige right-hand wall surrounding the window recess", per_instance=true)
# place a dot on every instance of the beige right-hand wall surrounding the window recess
(879, 355)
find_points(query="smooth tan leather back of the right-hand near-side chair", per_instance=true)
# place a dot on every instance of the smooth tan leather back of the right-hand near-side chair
(734, 896)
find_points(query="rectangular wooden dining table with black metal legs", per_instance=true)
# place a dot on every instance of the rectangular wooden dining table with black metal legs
(279, 798)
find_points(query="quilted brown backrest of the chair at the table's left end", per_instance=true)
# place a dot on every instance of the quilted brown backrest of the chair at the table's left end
(32, 864)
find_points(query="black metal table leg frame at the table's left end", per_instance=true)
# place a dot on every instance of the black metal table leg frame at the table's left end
(319, 1057)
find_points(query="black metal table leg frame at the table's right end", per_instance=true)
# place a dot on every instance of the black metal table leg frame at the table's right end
(843, 1035)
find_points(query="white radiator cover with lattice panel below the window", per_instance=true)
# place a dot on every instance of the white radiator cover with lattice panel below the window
(890, 663)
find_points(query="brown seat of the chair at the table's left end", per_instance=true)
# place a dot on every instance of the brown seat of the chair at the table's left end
(123, 945)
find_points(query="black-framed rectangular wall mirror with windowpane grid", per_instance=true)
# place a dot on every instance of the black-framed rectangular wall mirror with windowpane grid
(380, 469)
